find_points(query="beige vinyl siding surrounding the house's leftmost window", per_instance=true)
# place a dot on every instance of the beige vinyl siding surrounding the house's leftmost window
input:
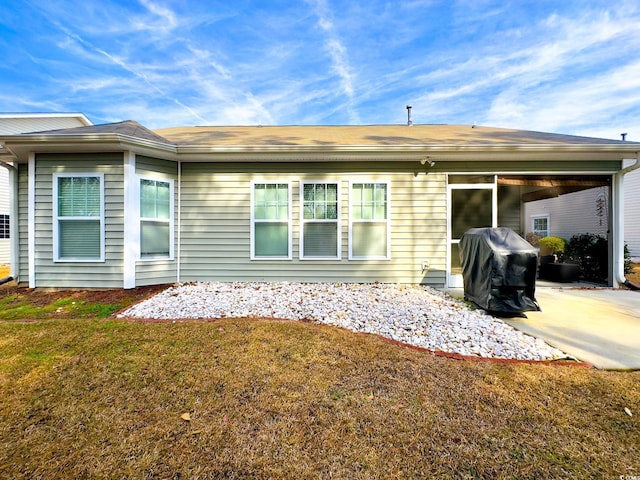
(107, 274)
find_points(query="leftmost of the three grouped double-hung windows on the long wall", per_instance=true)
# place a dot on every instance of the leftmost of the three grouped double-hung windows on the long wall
(271, 221)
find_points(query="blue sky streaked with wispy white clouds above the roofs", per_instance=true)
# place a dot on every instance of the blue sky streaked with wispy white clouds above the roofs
(557, 66)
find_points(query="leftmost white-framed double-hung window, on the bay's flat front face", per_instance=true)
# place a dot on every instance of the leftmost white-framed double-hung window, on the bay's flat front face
(78, 217)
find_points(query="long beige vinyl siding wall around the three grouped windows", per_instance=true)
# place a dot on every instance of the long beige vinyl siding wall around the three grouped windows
(216, 225)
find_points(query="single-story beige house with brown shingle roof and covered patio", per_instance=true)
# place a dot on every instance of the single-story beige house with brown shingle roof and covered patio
(120, 206)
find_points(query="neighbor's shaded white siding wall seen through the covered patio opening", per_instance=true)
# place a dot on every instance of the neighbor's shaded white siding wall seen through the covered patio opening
(573, 213)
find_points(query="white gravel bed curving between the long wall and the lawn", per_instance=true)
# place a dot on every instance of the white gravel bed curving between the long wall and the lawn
(416, 315)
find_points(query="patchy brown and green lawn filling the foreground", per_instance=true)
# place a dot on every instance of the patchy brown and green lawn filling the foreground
(91, 397)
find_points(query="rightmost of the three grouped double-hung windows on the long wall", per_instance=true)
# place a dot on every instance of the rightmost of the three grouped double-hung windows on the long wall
(369, 228)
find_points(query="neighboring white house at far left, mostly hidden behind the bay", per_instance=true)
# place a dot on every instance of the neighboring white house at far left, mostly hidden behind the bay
(12, 123)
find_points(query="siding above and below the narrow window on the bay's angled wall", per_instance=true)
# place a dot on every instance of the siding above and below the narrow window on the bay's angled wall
(157, 271)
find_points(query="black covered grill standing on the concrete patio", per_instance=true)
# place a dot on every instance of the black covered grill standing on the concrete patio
(499, 270)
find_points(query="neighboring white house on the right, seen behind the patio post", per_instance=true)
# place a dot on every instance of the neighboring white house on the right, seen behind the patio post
(587, 211)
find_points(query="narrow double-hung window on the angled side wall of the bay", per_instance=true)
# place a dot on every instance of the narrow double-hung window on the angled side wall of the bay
(156, 219)
